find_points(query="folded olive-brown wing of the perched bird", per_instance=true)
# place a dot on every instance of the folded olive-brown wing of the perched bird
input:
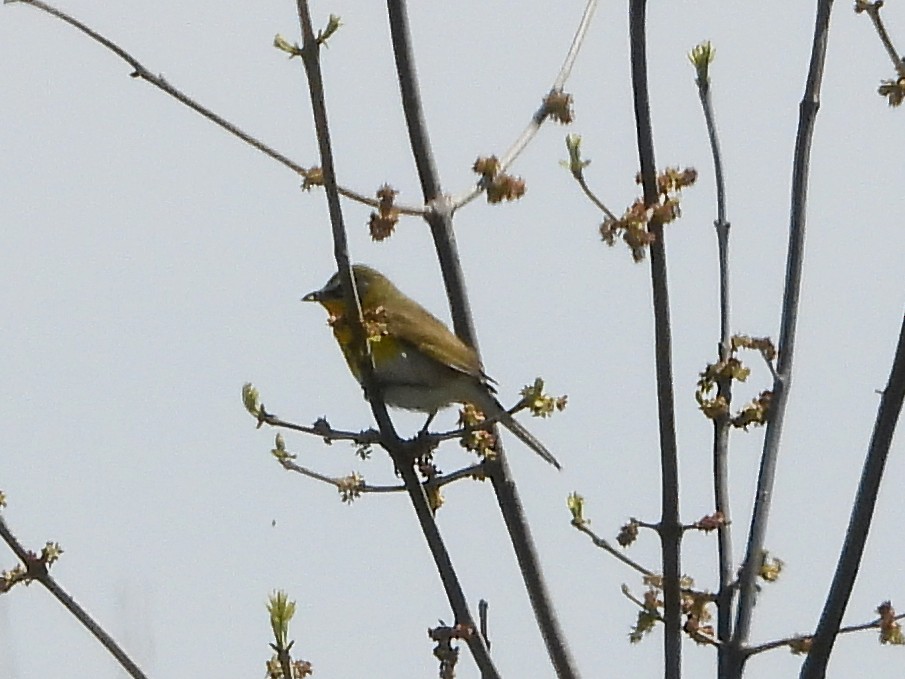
(431, 336)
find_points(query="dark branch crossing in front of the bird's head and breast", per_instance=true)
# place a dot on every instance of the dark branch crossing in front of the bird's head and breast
(396, 447)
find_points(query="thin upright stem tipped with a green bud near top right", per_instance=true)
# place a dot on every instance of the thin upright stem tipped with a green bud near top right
(721, 427)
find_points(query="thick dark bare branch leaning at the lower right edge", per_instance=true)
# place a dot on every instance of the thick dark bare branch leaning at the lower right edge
(859, 524)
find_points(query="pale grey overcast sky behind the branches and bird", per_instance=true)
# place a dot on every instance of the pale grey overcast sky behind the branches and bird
(151, 264)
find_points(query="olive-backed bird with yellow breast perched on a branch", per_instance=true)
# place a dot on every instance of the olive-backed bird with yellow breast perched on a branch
(420, 364)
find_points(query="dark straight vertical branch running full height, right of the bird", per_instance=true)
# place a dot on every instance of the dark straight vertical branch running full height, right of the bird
(669, 528)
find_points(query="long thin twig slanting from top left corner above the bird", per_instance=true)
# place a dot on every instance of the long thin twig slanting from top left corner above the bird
(158, 81)
